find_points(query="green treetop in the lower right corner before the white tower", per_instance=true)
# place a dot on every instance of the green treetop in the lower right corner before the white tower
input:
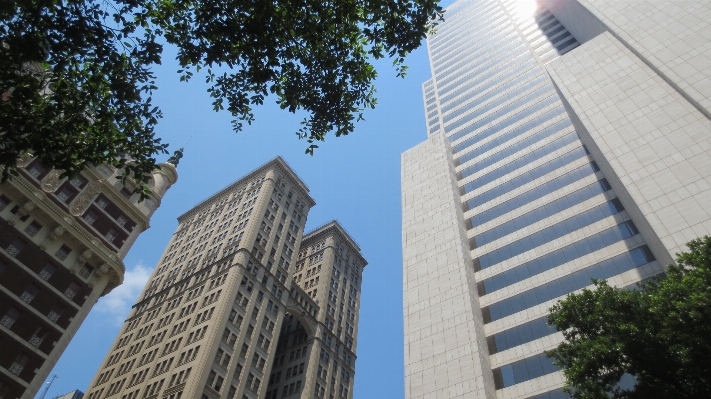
(660, 334)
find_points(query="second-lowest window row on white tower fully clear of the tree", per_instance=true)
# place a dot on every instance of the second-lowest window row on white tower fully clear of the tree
(558, 257)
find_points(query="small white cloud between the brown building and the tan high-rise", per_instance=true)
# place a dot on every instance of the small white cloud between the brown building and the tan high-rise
(118, 303)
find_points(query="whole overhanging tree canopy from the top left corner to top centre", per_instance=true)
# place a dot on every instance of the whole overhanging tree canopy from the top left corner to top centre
(76, 79)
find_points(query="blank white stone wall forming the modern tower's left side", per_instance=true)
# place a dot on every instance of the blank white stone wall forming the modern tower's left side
(445, 349)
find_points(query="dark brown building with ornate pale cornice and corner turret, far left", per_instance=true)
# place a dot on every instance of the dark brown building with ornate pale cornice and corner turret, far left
(61, 248)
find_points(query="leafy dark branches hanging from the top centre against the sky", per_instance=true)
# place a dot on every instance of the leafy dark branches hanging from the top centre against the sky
(313, 55)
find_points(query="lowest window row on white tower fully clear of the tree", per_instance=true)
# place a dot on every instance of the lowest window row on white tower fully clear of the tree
(565, 285)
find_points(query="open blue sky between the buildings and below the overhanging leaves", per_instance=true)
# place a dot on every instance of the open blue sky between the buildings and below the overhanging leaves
(355, 179)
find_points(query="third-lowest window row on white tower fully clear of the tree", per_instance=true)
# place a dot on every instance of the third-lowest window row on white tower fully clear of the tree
(551, 233)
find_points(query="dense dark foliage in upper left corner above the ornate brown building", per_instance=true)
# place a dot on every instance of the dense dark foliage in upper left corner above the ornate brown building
(77, 88)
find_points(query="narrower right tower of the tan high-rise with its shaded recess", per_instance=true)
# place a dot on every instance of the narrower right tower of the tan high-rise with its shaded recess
(317, 354)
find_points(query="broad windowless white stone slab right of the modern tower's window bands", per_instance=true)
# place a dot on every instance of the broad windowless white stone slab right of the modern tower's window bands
(655, 142)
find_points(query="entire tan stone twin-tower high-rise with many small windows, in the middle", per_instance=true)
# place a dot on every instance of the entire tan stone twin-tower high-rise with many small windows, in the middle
(241, 304)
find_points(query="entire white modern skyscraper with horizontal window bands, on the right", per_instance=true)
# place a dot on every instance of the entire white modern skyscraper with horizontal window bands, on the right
(567, 140)
